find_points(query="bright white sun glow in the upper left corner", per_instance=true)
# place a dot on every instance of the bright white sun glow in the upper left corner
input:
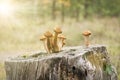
(6, 9)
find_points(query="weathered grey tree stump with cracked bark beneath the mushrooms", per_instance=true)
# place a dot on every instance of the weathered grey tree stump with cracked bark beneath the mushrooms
(73, 63)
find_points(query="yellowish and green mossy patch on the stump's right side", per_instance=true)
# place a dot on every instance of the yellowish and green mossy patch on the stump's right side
(99, 61)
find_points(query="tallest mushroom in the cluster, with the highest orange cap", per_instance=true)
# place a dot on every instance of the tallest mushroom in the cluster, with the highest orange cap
(57, 31)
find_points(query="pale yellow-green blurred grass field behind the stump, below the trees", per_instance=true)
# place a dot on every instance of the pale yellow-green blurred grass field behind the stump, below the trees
(24, 35)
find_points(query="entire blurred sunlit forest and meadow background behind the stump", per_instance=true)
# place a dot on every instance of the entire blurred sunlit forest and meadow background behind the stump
(22, 22)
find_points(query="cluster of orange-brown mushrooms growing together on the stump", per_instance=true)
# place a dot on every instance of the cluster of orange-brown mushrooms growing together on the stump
(53, 42)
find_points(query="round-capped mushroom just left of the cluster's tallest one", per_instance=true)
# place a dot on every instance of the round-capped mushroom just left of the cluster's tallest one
(48, 36)
